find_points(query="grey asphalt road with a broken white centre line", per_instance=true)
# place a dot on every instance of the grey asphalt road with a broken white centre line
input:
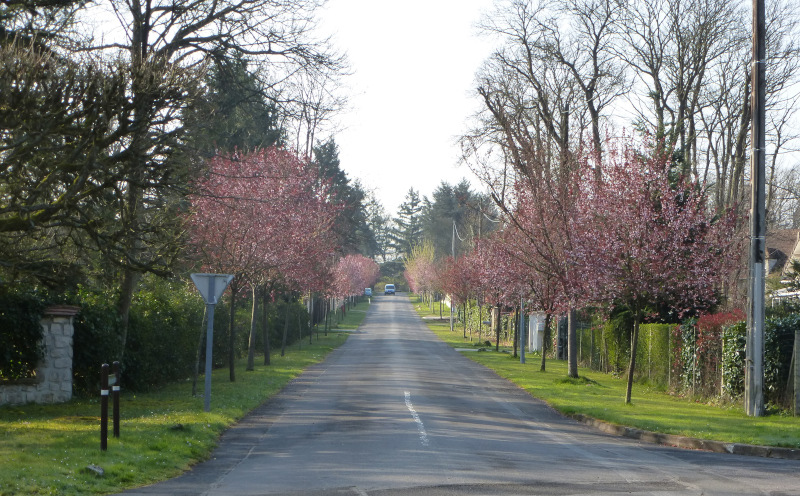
(396, 412)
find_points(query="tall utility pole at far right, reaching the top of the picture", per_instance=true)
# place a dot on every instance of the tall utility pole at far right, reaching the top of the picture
(754, 365)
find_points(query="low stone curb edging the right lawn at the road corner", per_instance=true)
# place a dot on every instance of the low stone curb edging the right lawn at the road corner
(688, 442)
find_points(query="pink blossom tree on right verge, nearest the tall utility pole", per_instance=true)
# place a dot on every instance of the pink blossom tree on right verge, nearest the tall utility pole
(642, 237)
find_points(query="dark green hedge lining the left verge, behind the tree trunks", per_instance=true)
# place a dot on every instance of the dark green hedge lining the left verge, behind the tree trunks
(165, 326)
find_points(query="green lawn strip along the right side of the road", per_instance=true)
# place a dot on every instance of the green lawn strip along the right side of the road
(601, 396)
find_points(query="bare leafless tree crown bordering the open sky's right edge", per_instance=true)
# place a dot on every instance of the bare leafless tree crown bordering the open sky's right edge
(531, 102)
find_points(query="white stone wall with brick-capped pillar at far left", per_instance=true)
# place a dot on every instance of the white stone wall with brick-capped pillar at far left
(53, 382)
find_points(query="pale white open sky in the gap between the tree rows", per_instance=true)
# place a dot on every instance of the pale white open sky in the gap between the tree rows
(411, 92)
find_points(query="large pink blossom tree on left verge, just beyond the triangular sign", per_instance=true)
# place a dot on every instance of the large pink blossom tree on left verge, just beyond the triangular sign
(265, 217)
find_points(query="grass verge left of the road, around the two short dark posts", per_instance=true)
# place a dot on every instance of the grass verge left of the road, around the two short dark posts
(46, 449)
